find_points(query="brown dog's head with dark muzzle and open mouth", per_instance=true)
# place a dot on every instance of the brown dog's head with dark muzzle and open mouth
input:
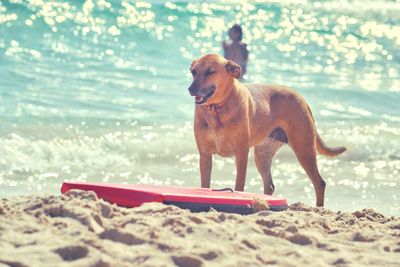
(213, 77)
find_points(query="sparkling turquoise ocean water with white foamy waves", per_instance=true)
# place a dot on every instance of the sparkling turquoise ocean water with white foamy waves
(97, 91)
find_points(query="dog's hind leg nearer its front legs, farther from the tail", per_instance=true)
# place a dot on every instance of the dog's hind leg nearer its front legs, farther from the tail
(263, 154)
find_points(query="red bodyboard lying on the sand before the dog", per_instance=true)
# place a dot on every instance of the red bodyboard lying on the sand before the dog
(134, 195)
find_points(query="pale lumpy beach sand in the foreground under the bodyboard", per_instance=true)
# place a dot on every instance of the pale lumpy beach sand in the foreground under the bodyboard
(78, 229)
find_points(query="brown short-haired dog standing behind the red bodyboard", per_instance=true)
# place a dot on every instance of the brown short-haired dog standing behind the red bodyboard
(231, 117)
